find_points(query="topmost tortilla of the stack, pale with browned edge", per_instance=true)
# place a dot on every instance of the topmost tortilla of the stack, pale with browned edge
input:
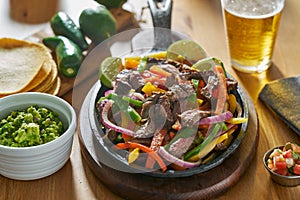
(20, 62)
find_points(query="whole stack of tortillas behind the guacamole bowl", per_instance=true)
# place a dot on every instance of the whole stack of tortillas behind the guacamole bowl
(26, 67)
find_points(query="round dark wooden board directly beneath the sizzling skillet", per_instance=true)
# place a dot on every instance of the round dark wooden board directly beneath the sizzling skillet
(140, 186)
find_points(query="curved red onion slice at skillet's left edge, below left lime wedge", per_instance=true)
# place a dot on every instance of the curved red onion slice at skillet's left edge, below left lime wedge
(109, 124)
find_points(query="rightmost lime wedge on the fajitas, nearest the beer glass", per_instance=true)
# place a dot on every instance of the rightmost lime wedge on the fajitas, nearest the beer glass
(208, 64)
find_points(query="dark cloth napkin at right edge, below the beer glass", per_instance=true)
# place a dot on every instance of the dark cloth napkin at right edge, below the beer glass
(283, 97)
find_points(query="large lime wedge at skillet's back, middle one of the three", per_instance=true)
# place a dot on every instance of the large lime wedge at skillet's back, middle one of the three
(187, 50)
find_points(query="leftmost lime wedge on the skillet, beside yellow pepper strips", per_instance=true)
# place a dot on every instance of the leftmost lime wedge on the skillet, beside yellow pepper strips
(109, 69)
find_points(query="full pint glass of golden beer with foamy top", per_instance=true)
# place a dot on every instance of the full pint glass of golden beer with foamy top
(251, 27)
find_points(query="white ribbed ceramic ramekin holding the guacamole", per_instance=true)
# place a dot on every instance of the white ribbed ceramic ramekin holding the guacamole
(29, 163)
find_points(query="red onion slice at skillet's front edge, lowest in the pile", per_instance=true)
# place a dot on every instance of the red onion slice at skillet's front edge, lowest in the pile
(172, 159)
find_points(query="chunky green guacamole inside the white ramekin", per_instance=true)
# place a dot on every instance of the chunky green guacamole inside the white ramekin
(30, 127)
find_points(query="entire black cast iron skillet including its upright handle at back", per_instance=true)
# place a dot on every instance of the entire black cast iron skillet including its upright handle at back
(162, 38)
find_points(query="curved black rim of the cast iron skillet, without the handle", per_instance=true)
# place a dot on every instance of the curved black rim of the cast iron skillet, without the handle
(117, 161)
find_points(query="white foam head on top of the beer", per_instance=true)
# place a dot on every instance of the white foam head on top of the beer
(253, 9)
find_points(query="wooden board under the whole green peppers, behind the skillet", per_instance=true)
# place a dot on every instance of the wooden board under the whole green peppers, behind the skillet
(125, 21)
